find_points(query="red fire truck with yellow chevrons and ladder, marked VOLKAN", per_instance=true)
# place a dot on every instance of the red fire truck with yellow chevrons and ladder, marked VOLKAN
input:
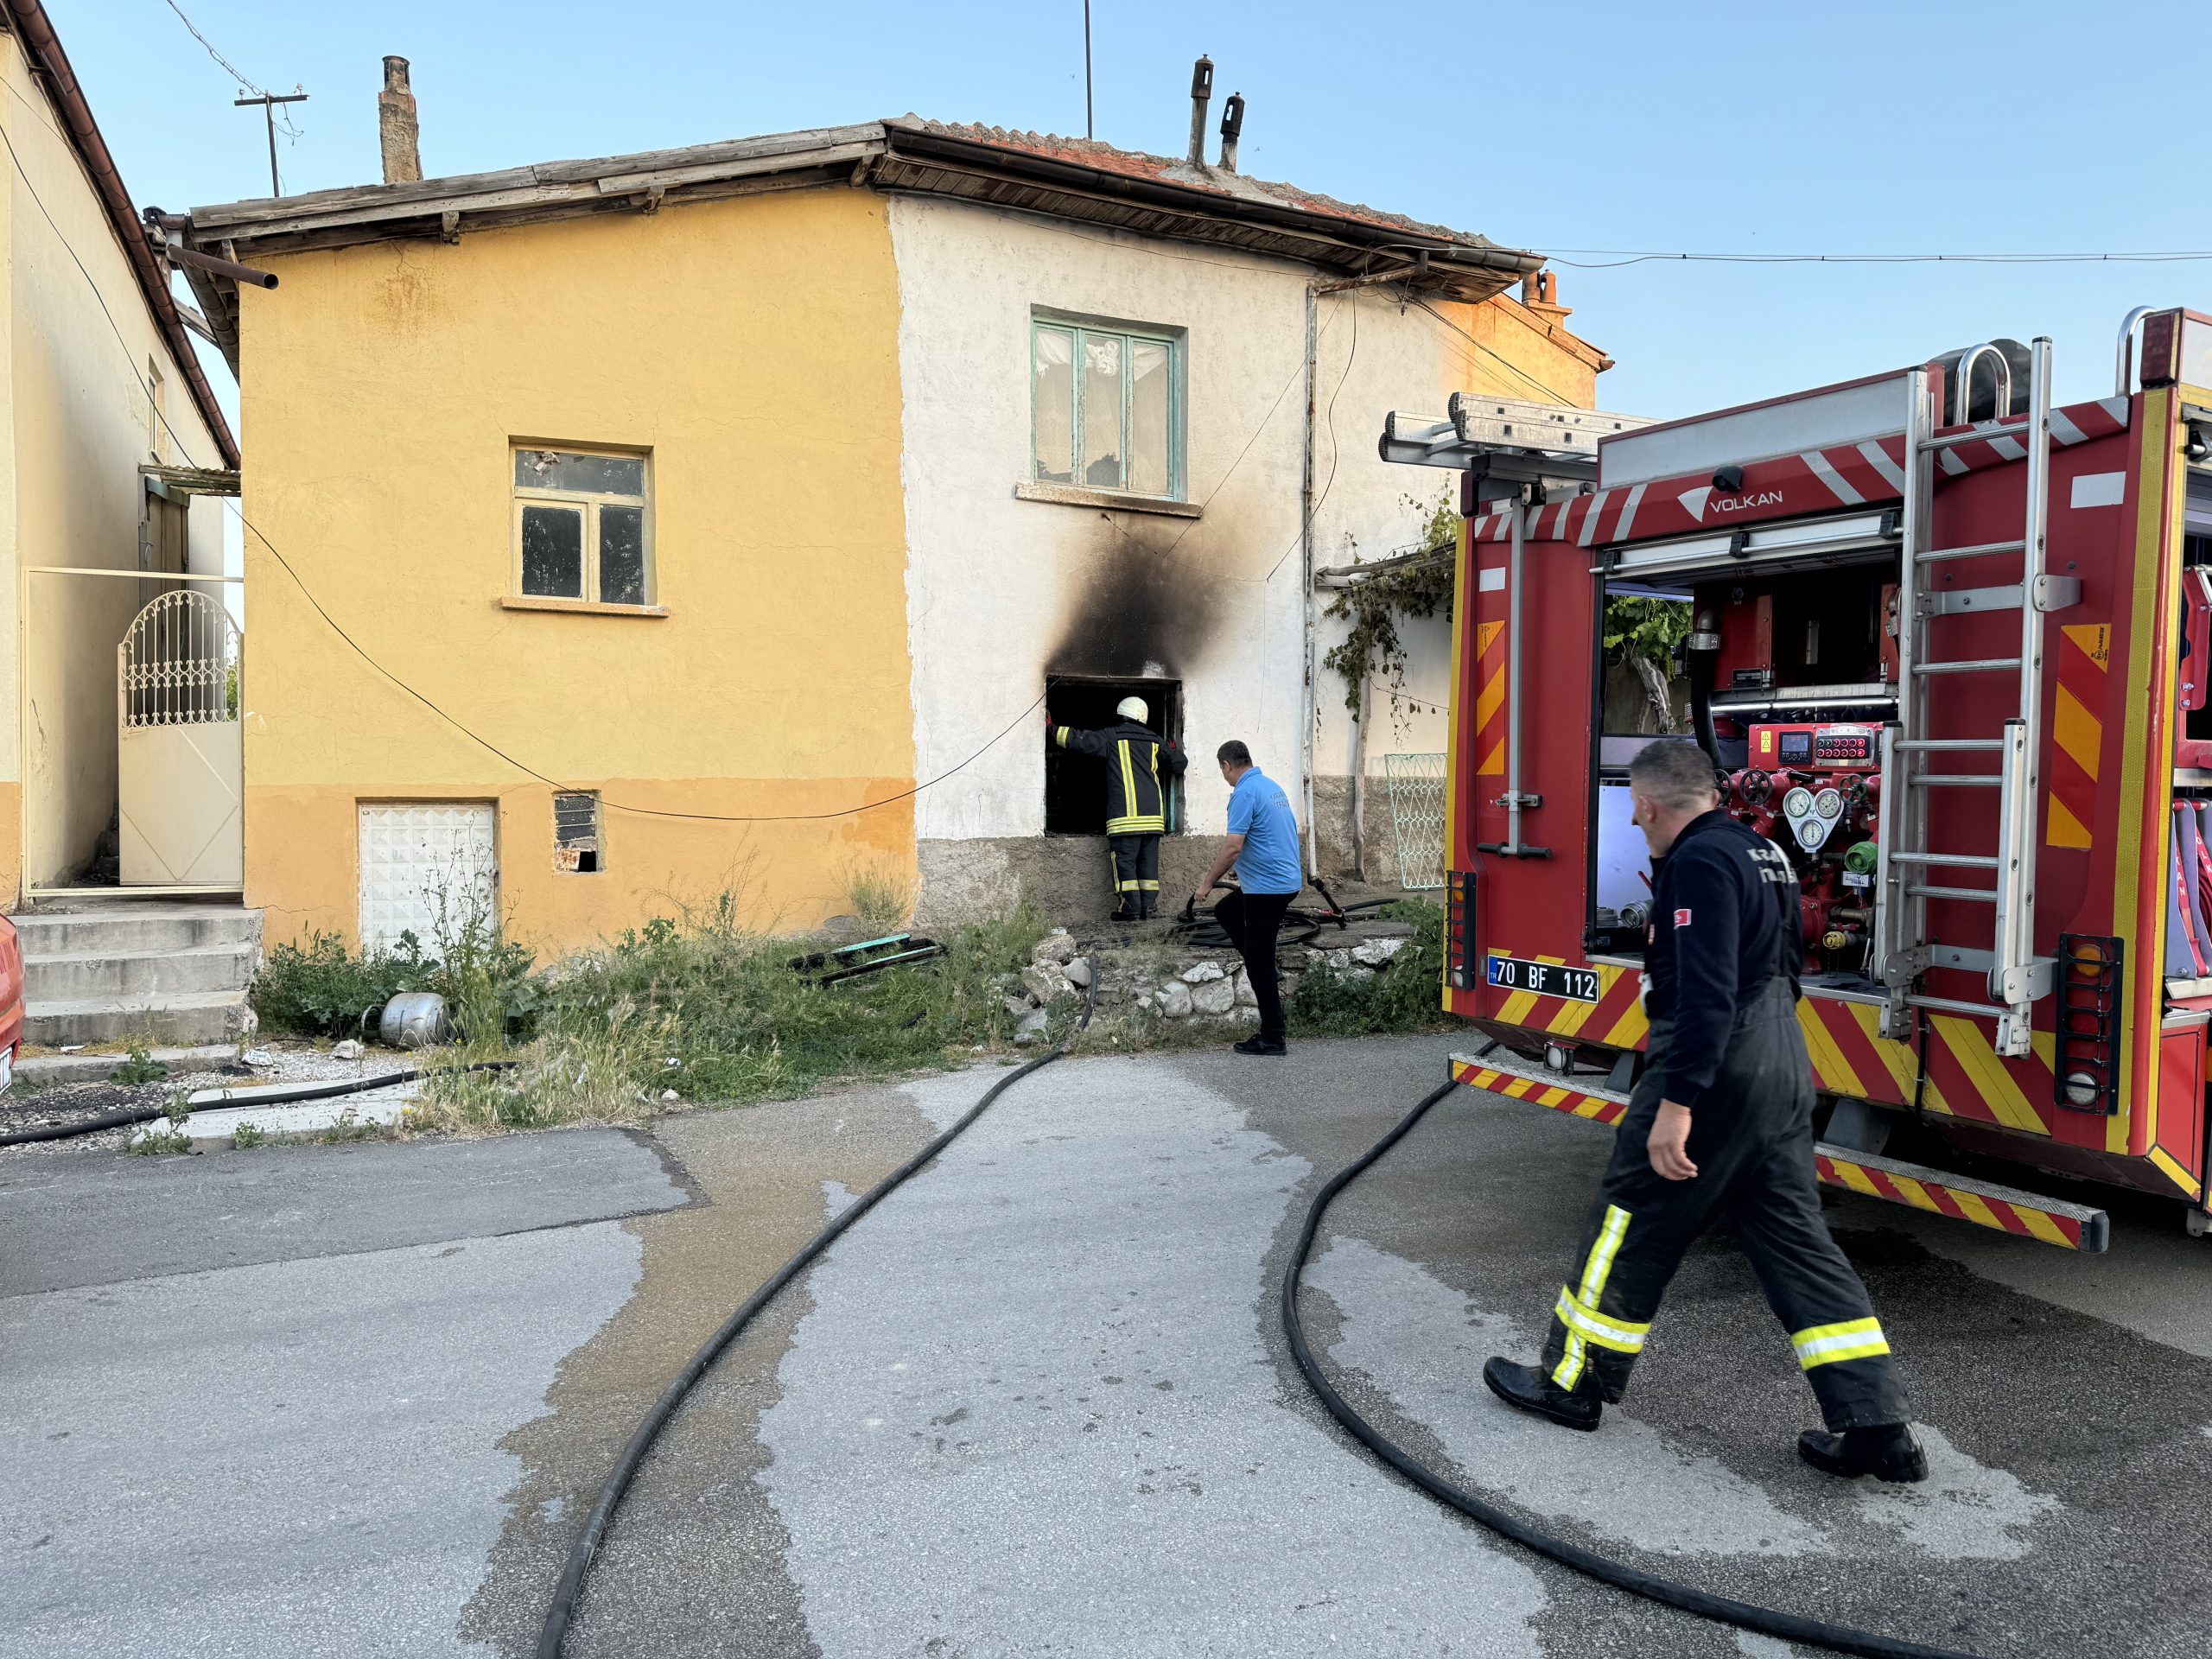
(1950, 649)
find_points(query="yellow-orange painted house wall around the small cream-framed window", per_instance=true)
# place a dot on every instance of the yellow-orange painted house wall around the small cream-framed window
(753, 348)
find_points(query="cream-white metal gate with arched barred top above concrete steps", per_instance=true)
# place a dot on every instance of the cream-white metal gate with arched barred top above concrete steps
(180, 762)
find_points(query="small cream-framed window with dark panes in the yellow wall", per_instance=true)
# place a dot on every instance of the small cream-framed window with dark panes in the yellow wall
(583, 528)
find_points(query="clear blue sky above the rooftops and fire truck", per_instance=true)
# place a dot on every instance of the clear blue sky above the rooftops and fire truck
(1691, 127)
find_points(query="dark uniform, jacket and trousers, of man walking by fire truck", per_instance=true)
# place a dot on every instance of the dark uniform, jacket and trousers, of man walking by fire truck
(1724, 1041)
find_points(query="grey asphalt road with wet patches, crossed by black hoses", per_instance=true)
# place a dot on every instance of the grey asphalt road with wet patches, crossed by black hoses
(357, 1399)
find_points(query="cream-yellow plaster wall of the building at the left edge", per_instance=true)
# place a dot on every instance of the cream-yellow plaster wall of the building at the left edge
(74, 432)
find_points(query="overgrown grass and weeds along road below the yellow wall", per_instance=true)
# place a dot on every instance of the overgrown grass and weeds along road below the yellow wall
(713, 1012)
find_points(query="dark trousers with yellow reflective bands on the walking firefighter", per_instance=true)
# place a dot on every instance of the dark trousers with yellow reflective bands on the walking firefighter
(1751, 1140)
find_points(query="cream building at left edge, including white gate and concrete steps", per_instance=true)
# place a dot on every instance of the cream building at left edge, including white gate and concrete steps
(121, 749)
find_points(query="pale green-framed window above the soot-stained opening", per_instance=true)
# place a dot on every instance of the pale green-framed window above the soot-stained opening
(1105, 408)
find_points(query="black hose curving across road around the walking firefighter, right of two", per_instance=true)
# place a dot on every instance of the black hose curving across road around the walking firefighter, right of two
(1786, 1627)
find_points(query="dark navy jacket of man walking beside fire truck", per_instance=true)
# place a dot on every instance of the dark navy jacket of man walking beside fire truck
(1724, 924)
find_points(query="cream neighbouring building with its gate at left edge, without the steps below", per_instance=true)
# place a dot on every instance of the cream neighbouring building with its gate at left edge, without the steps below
(109, 437)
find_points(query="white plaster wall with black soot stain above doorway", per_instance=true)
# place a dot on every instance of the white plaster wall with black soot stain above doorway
(997, 587)
